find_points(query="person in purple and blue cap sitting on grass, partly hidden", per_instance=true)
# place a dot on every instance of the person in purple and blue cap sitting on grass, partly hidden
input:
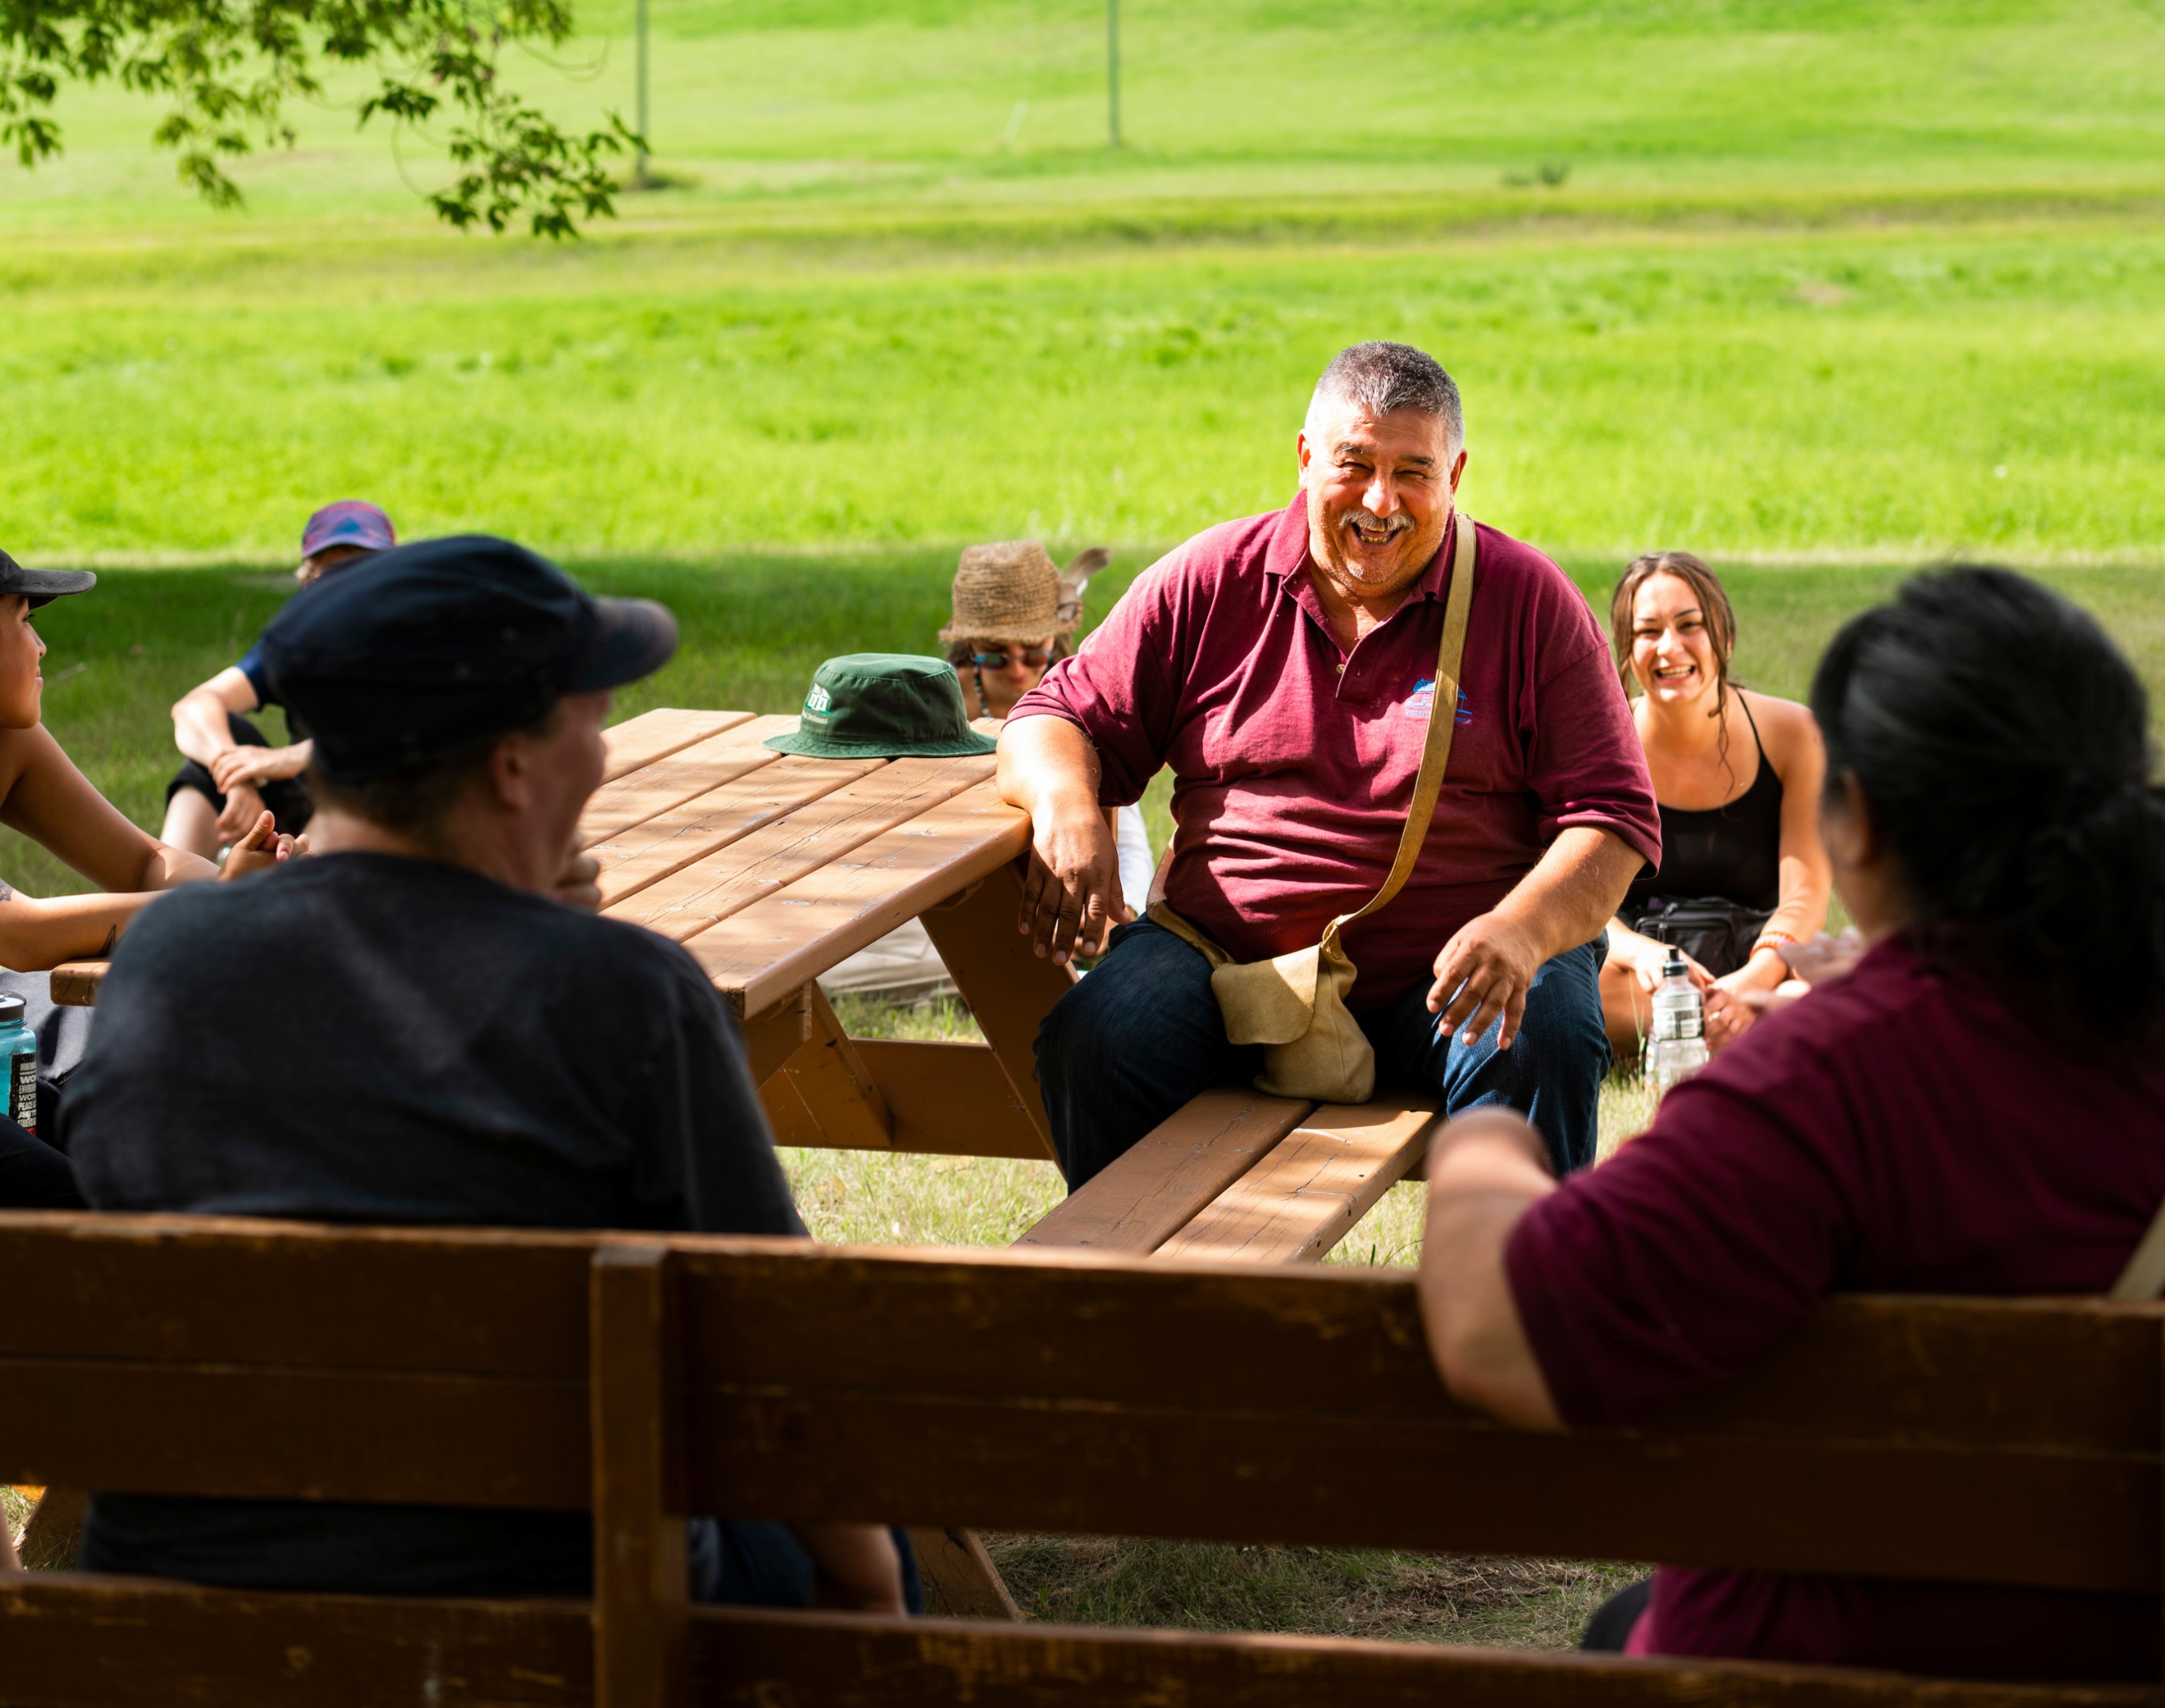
(233, 774)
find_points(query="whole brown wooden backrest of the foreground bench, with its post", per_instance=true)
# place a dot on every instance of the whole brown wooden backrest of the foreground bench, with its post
(638, 1378)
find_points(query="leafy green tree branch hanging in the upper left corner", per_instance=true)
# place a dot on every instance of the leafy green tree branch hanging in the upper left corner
(233, 70)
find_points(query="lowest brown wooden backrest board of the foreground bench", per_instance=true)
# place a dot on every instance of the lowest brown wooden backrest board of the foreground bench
(133, 1644)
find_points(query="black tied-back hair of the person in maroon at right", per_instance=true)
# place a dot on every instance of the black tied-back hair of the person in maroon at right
(2004, 746)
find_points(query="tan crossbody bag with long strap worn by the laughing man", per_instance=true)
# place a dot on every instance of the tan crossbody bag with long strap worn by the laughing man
(1296, 1006)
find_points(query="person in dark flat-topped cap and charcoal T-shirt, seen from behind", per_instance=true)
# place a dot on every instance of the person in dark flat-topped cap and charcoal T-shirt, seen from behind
(412, 1025)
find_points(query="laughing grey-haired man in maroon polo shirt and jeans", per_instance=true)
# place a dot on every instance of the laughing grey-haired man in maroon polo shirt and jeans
(1285, 668)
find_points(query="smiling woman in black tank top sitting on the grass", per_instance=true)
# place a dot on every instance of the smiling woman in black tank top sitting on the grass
(1737, 778)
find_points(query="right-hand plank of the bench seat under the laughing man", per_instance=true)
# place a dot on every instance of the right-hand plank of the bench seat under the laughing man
(1300, 1200)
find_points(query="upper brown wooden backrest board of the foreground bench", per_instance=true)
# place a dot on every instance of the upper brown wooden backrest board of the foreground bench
(1973, 1441)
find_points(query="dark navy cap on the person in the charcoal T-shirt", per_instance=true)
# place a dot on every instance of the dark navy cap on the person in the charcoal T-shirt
(445, 646)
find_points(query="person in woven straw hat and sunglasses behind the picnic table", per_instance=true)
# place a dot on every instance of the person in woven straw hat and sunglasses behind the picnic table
(1014, 616)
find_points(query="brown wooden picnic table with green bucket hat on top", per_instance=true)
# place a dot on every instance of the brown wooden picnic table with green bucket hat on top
(774, 869)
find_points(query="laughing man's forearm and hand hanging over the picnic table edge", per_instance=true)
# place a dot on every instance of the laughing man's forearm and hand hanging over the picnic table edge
(1071, 899)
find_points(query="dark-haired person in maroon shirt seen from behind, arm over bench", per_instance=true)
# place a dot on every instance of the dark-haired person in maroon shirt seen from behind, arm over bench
(1978, 1107)
